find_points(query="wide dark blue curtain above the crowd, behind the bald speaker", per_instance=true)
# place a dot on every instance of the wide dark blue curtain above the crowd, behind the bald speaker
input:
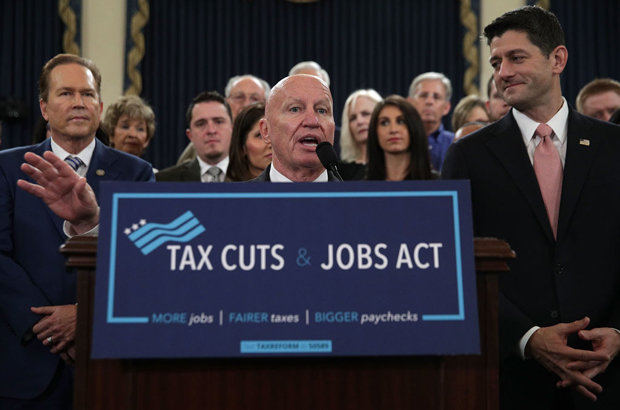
(192, 46)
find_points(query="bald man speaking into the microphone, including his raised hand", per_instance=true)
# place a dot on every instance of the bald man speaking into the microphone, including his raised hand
(298, 116)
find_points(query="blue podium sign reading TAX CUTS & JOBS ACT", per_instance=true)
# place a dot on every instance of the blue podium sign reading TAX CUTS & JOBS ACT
(260, 269)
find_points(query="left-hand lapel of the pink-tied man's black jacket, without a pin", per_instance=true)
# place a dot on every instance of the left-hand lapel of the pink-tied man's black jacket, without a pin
(510, 150)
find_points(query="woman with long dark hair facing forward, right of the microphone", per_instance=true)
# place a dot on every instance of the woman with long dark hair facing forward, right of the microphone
(397, 143)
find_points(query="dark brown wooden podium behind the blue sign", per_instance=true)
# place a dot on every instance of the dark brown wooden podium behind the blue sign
(356, 383)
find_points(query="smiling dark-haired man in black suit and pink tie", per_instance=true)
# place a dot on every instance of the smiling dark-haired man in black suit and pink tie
(546, 179)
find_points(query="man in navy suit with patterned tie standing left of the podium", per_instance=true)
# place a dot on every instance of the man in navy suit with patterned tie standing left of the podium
(37, 296)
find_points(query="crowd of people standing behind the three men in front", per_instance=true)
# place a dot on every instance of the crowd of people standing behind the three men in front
(389, 139)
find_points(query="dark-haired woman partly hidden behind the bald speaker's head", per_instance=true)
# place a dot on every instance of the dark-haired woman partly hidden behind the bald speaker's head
(249, 154)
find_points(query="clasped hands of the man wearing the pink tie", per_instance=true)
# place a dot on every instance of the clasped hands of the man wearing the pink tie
(576, 368)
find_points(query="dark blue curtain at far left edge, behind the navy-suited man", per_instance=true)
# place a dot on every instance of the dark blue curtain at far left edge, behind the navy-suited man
(30, 34)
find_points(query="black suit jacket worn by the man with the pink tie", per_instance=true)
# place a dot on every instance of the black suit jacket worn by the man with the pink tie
(550, 281)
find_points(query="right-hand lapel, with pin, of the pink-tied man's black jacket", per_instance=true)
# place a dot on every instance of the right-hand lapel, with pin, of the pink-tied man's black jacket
(579, 159)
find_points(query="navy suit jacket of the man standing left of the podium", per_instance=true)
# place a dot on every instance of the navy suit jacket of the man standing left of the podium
(32, 271)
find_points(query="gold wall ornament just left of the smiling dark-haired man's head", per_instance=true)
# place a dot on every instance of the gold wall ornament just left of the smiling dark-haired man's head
(469, 20)
